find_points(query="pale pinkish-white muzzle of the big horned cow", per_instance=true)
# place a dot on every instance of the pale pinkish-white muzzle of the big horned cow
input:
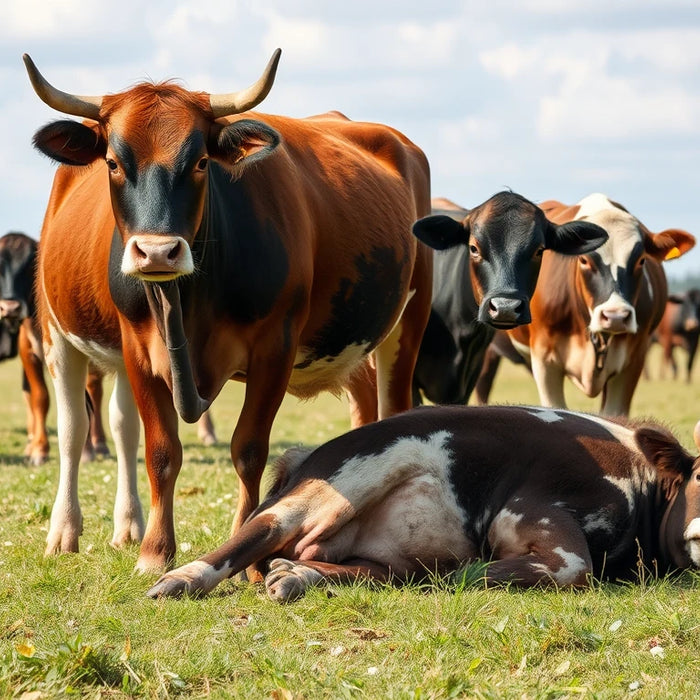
(157, 258)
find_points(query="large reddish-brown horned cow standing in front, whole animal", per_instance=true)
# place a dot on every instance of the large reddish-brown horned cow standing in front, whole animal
(188, 242)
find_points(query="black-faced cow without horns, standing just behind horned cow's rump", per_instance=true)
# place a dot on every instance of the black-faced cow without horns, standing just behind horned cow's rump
(483, 280)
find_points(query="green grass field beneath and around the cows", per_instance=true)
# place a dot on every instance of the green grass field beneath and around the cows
(80, 625)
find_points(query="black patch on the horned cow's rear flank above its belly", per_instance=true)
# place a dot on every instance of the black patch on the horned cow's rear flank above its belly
(362, 308)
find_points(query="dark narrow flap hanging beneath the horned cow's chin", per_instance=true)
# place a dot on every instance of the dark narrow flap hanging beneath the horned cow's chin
(164, 302)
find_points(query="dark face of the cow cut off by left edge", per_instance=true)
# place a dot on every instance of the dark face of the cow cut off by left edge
(17, 260)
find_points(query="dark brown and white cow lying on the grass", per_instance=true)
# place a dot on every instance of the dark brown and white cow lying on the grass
(439, 487)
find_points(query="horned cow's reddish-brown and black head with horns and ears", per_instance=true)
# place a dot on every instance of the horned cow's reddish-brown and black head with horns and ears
(157, 142)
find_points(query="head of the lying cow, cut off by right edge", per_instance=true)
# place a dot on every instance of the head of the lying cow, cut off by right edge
(679, 482)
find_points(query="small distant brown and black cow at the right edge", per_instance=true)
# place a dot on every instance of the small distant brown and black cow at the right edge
(679, 328)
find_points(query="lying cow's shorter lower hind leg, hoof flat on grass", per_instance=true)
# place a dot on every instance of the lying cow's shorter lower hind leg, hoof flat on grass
(289, 580)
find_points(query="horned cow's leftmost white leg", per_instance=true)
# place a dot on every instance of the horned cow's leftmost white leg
(68, 367)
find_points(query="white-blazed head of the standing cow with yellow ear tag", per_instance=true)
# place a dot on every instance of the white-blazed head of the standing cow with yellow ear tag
(610, 278)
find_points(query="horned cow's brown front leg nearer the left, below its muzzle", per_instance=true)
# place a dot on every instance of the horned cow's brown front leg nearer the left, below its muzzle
(163, 462)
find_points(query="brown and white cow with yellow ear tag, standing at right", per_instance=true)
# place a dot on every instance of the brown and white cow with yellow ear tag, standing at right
(592, 316)
